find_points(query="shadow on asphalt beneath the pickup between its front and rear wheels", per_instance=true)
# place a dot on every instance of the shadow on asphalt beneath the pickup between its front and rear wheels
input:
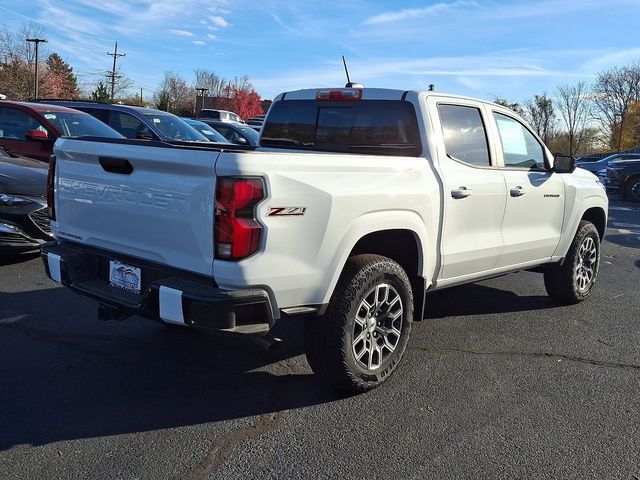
(476, 299)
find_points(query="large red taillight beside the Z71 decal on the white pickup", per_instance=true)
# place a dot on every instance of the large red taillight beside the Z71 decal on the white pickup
(237, 234)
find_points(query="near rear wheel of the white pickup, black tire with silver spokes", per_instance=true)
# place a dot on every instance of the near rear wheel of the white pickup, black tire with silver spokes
(329, 340)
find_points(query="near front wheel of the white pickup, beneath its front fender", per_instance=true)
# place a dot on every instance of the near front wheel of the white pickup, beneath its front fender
(572, 281)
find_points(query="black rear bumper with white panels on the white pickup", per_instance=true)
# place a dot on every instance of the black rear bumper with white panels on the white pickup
(166, 294)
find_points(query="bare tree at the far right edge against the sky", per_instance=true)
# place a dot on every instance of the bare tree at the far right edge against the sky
(614, 92)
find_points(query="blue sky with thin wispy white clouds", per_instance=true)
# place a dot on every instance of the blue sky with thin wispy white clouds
(481, 48)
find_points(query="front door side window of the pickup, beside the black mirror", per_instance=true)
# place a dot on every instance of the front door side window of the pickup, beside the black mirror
(520, 149)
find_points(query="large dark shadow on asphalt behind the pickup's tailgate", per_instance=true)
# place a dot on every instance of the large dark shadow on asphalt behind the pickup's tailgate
(66, 375)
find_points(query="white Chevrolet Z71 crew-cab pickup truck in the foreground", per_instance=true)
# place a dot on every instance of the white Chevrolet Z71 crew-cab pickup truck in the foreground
(357, 203)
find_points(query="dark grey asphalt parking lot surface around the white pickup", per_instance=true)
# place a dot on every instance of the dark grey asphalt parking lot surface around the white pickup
(499, 382)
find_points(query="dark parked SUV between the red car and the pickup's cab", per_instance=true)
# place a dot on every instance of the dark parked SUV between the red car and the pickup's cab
(137, 122)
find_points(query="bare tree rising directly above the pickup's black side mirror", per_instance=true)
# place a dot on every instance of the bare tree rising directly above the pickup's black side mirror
(574, 104)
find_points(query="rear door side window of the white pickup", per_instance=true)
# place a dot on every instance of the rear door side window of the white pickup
(465, 137)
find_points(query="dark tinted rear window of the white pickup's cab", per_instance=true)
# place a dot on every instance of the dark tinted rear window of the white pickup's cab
(385, 127)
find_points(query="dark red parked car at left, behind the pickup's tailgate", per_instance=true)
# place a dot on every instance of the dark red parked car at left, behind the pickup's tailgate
(31, 129)
